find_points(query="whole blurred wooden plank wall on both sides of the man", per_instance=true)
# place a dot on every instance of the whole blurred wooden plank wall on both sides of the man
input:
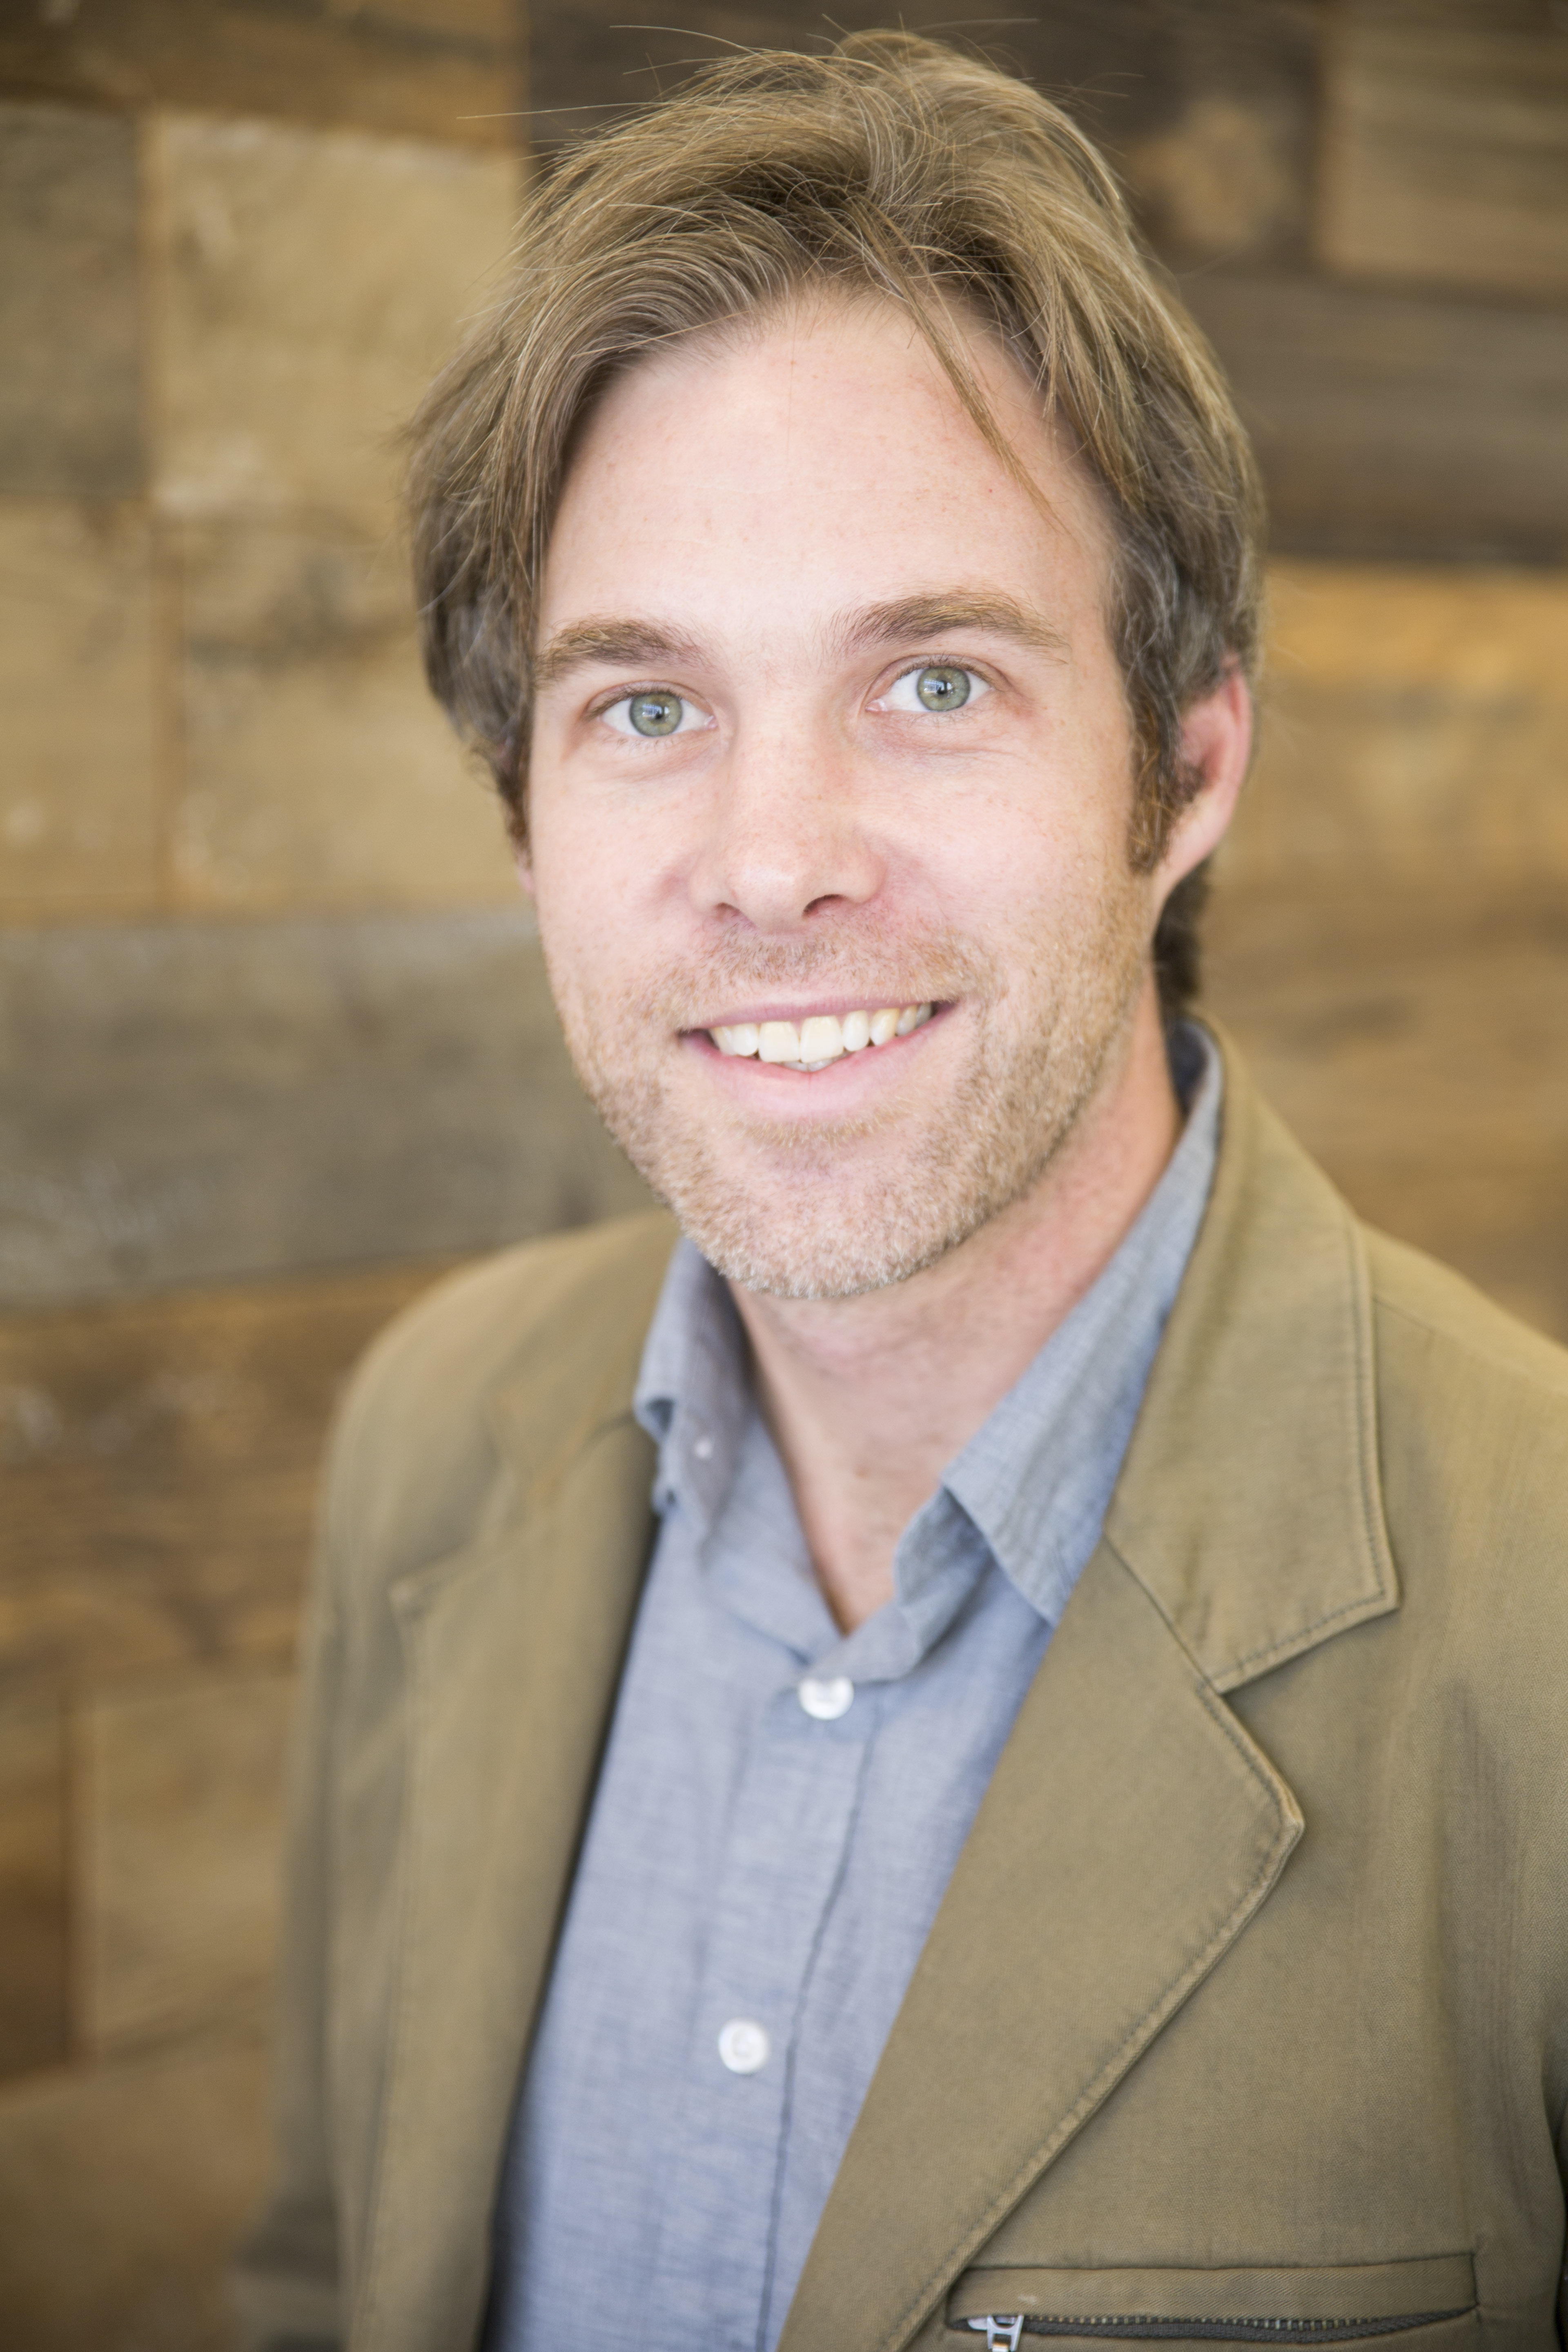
(274, 1038)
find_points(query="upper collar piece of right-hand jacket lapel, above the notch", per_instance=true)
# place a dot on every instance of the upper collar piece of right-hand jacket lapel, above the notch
(1249, 1502)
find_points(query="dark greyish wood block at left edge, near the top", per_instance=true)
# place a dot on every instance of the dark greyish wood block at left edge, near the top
(69, 312)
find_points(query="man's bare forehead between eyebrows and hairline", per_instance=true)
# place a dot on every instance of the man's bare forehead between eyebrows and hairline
(817, 457)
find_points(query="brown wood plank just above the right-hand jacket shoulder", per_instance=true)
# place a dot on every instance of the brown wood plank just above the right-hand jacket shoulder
(1419, 1045)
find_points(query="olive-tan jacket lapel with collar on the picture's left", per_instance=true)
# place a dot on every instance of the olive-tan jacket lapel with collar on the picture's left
(514, 1655)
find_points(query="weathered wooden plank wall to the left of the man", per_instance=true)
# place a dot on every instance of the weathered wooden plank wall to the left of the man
(264, 996)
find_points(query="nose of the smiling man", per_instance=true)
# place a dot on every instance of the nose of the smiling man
(786, 838)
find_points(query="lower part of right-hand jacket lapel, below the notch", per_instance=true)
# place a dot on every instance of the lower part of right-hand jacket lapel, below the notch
(1127, 1838)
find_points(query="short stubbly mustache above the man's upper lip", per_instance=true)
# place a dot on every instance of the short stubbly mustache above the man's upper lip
(871, 968)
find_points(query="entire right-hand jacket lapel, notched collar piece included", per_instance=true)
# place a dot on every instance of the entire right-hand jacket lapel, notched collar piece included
(1132, 1826)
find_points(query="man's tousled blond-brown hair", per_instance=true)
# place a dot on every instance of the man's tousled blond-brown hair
(890, 166)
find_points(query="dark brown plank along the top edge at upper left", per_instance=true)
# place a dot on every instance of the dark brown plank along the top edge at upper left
(438, 69)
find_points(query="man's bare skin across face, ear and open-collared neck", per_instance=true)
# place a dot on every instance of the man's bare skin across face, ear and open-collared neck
(906, 1227)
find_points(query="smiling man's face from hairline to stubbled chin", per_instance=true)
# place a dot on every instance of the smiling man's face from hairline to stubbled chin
(831, 730)
